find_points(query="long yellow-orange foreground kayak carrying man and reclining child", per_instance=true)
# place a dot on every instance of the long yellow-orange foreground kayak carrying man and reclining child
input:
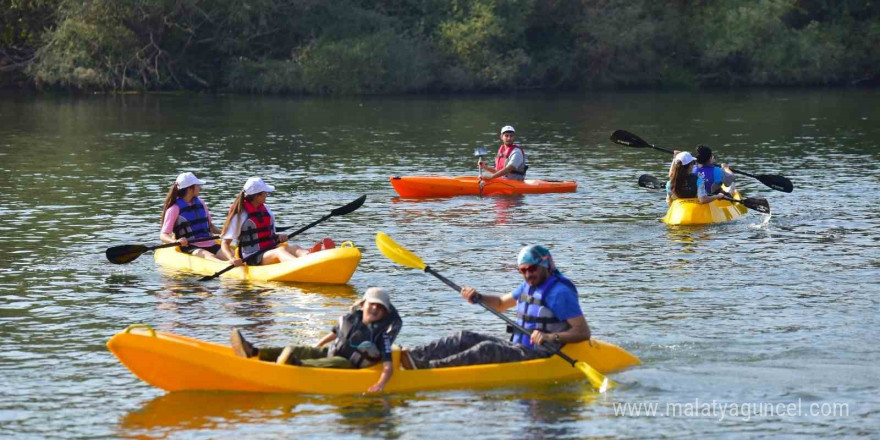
(178, 363)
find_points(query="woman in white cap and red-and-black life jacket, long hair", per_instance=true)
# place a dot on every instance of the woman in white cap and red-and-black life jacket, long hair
(252, 224)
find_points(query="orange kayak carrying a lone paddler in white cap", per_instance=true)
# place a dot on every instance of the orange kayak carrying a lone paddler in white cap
(444, 186)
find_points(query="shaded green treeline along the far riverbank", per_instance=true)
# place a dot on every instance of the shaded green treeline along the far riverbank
(399, 46)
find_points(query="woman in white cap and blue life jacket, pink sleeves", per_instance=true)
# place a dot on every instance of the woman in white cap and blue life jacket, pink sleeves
(185, 218)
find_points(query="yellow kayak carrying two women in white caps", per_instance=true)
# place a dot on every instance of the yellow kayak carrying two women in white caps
(331, 266)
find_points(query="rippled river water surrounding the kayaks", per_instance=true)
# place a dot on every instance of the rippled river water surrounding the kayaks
(761, 313)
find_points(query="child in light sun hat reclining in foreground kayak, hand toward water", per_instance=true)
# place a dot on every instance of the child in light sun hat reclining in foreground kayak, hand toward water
(361, 338)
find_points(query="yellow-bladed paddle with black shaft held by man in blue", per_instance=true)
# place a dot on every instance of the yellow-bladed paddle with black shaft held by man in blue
(403, 256)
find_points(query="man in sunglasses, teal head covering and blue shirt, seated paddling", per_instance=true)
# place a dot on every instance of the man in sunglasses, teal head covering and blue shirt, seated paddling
(546, 303)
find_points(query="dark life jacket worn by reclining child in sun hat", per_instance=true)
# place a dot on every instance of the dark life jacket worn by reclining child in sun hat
(360, 343)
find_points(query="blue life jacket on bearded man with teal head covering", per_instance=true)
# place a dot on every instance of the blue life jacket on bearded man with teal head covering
(532, 311)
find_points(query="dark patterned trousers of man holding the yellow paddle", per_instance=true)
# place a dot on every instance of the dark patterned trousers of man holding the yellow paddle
(469, 348)
